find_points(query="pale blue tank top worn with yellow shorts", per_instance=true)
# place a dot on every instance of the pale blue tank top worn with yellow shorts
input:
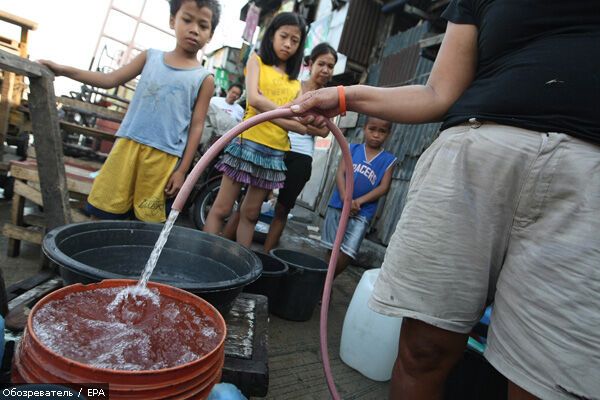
(160, 112)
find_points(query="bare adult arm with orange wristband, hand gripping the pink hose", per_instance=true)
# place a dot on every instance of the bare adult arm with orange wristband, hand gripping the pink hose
(453, 71)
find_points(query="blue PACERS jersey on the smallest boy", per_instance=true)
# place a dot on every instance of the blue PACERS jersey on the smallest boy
(367, 176)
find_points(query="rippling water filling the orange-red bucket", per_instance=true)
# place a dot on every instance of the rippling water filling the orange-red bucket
(133, 333)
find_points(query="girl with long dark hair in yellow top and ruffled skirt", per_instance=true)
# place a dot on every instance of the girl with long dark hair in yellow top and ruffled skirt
(255, 158)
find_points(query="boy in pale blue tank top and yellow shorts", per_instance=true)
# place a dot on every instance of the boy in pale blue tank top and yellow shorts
(160, 133)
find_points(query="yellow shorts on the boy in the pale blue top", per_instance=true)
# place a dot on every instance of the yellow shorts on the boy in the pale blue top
(132, 178)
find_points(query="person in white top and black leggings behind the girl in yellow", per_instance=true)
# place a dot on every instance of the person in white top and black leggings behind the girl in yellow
(298, 160)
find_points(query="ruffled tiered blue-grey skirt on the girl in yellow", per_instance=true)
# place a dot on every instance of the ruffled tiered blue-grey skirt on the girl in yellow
(253, 164)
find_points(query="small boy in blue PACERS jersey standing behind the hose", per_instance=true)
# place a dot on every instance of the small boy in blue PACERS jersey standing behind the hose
(372, 178)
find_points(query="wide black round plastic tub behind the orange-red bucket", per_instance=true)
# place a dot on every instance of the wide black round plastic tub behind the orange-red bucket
(209, 266)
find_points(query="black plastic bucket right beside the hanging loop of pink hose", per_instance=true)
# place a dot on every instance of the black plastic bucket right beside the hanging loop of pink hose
(301, 287)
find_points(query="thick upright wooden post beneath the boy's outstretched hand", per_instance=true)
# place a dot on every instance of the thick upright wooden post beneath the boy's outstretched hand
(51, 169)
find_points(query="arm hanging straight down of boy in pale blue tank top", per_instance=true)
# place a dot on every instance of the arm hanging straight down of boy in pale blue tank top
(195, 134)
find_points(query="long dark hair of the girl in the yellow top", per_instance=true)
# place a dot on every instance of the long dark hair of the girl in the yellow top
(266, 52)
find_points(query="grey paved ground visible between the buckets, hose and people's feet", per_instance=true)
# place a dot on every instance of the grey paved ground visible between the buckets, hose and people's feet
(294, 356)
